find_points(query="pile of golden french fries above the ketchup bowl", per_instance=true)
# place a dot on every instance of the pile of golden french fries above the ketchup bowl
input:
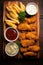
(12, 13)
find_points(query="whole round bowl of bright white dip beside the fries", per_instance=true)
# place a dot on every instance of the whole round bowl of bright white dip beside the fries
(32, 8)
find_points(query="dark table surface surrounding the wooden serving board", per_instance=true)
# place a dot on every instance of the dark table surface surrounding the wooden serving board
(25, 61)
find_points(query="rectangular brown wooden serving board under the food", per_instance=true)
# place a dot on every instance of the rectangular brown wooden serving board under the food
(4, 27)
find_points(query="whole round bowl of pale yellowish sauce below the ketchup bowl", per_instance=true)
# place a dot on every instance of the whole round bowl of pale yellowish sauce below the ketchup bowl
(11, 49)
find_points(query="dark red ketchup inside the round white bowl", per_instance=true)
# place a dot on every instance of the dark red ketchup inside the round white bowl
(11, 34)
